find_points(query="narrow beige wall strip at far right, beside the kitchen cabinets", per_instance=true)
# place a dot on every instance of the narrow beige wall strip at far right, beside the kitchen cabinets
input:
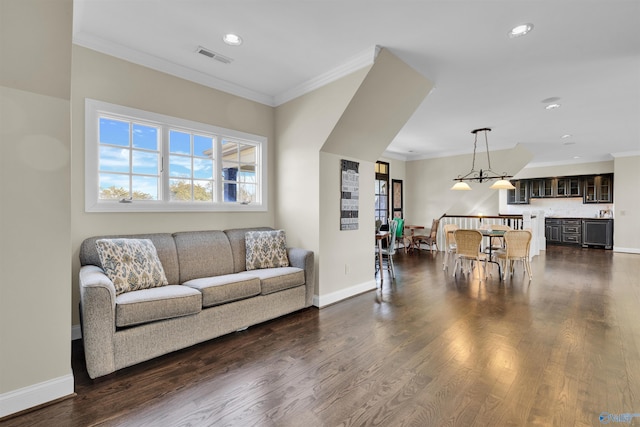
(626, 232)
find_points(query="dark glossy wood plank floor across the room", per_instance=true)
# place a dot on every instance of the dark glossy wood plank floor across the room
(427, 350)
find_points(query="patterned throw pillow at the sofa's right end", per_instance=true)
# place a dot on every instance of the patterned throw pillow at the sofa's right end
(266, 249)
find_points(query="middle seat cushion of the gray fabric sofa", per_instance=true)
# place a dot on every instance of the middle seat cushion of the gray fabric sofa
(222, 289)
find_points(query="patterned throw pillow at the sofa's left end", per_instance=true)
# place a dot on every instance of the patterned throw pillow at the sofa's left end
(131, 264)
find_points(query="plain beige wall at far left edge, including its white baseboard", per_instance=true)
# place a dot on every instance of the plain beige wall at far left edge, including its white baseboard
(35, 251)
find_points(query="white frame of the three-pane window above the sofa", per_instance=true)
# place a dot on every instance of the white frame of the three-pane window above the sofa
(93, 111)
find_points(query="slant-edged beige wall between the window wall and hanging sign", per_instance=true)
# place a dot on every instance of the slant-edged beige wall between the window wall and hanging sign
(302, 127)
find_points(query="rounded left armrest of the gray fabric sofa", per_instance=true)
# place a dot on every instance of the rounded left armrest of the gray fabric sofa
(98, 311)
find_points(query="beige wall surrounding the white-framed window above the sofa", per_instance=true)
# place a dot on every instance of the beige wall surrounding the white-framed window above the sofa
(109, 79)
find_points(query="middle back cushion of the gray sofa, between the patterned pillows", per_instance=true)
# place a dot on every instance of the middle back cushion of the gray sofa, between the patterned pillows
(203, 254)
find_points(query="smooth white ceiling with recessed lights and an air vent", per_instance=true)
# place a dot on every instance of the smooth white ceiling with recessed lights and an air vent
(585, 54)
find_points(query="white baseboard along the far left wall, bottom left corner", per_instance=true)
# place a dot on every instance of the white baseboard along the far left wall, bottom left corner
(34, 395)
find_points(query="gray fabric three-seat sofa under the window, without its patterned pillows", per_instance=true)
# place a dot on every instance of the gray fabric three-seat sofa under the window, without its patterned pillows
(209, 294)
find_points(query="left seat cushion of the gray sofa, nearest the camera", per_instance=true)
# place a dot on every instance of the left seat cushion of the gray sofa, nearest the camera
(148, 305)
